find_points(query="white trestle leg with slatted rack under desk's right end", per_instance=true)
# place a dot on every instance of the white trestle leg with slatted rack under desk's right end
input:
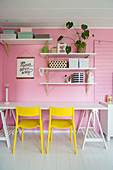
(89, 133)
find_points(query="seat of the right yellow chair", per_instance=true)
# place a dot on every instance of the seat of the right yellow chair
(61, 123)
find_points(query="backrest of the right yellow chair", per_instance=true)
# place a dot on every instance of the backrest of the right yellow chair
(61, 112)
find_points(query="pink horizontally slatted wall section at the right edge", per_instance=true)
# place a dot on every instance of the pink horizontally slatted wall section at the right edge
(104, 72)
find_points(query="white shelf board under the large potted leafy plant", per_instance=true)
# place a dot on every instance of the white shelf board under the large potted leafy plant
(65, 54)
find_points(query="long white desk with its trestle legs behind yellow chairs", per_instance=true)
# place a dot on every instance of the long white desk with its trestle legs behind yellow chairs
(93, 109)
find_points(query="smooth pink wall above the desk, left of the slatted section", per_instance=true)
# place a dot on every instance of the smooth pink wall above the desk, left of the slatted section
(31, 90)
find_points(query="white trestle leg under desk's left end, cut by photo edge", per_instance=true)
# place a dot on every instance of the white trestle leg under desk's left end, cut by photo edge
(7, 130)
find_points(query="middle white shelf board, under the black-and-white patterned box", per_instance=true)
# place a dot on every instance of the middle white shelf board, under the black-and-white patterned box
(69, 69)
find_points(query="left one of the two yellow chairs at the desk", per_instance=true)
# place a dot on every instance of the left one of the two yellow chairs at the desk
(28, 123)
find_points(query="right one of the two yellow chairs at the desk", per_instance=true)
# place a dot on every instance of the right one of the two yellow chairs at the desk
(61, 123)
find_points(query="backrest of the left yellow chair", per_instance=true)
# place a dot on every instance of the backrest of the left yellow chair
(28, 111)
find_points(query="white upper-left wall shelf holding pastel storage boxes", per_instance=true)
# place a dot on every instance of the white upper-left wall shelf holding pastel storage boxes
(27, 41)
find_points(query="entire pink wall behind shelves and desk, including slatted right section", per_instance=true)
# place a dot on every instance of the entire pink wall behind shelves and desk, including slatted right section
(31, 90)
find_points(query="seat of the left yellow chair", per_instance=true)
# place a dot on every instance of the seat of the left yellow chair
(29, 123)
